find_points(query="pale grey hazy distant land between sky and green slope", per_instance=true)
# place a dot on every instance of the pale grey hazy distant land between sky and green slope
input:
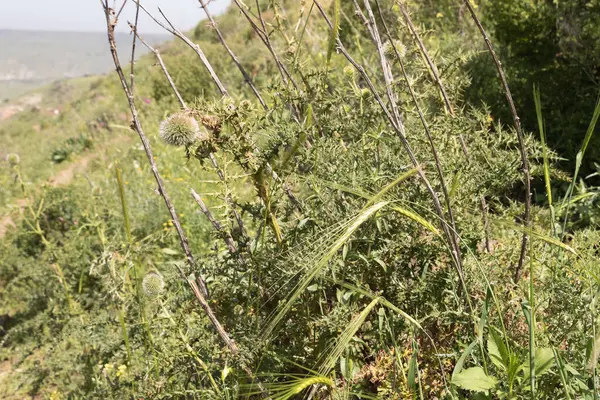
(30, 59)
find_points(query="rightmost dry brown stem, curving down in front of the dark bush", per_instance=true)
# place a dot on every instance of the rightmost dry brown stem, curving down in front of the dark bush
(522, 148)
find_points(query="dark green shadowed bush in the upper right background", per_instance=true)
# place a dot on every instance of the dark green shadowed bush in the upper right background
(555, 45)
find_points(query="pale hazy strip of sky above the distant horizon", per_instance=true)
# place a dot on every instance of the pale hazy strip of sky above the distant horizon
(87, 15)
